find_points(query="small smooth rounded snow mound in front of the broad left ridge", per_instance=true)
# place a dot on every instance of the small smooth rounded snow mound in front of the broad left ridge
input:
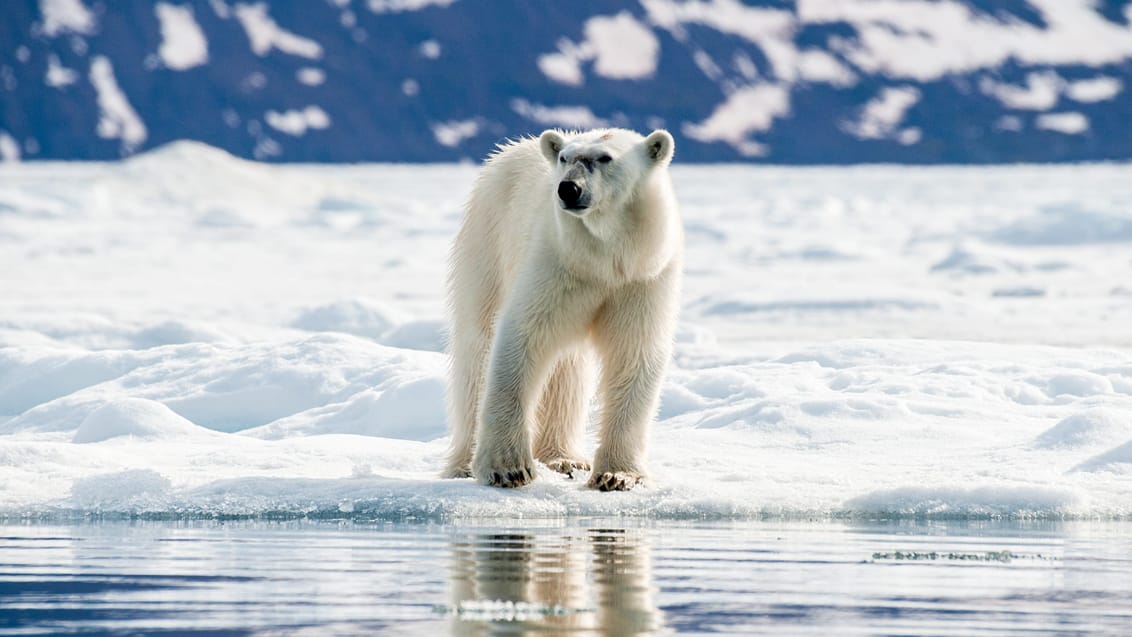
(134, 417)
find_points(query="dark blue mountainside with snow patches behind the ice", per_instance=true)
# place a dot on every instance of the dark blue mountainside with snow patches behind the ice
(436, 81)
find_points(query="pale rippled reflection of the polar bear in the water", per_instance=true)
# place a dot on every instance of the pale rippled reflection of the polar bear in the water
(526, 584)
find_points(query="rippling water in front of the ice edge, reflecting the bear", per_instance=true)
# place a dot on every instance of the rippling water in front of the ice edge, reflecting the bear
(578, 578)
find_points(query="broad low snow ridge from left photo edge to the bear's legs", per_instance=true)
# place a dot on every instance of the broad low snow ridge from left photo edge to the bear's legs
(224, 389)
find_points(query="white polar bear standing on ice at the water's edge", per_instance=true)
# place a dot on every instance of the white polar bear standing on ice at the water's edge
(572, 245)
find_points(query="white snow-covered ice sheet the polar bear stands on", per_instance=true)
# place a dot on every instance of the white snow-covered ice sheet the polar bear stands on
(188, 334)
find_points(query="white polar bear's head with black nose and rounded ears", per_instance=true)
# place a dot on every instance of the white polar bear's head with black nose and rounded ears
(603, 169)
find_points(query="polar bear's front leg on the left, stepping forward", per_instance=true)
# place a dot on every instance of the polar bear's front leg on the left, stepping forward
(542, 320)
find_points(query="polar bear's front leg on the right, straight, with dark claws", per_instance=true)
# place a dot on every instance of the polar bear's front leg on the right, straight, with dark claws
(634, 337)
